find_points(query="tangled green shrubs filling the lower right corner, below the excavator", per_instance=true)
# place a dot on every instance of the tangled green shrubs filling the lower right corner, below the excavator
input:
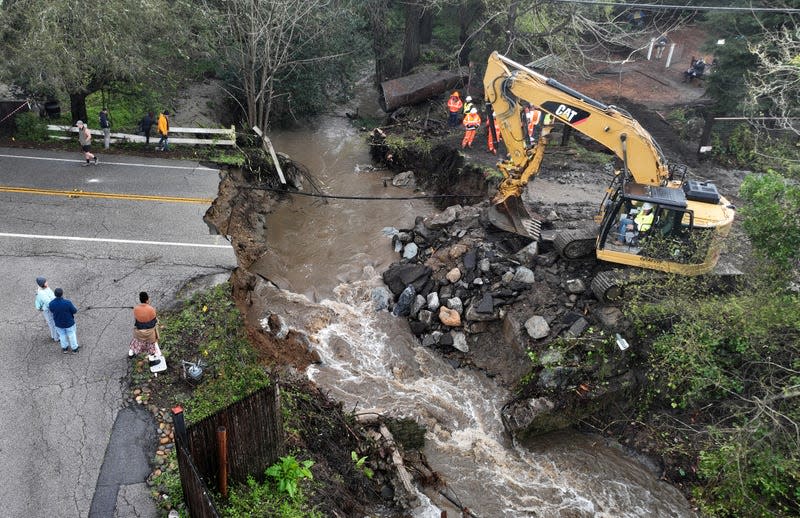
(732, 360)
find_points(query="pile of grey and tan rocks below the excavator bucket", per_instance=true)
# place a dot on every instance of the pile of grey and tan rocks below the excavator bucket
(451, 281)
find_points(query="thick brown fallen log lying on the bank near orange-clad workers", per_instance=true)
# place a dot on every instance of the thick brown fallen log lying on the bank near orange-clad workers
(417, 87)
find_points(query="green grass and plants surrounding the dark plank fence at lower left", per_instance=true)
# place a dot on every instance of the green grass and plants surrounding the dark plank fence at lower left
(325, 470)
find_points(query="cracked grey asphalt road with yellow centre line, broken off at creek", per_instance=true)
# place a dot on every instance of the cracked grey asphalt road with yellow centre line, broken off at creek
(102, 233)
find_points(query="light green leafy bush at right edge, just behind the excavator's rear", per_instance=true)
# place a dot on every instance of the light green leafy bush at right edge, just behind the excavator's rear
(771, 216)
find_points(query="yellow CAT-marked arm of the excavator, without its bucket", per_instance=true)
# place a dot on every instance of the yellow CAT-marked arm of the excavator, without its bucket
(510, 85)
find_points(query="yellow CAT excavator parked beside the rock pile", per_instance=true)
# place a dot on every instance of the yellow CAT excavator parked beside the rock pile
(647, 219)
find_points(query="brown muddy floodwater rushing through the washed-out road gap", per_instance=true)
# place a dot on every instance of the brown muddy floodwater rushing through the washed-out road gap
(330, 256)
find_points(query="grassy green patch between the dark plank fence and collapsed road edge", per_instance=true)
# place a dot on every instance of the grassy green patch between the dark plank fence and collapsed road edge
(211, 327)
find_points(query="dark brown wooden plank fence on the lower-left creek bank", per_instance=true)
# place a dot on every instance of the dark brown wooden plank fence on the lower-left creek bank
(255, 441)
